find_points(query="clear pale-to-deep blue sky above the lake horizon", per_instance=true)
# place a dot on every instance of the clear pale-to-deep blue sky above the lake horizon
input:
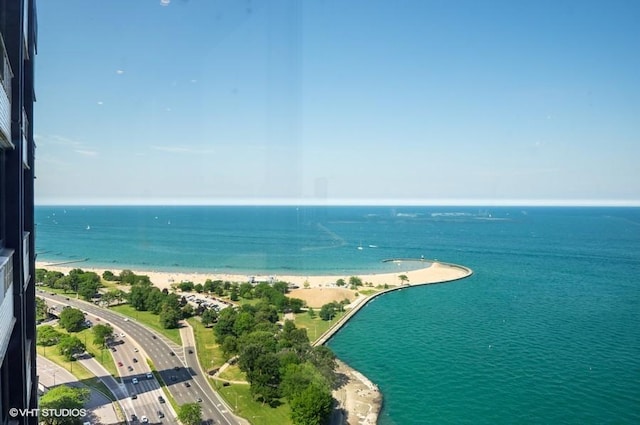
(395, 102)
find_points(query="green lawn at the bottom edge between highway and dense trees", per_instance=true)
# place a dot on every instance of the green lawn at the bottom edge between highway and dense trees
(253, 411)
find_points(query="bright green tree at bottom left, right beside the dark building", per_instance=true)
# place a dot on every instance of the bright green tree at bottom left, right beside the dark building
(63, 397)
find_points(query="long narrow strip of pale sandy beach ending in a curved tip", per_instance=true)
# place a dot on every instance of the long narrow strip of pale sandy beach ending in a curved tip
(436, 272)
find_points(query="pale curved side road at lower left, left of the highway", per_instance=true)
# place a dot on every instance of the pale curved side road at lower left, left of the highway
(100, 408)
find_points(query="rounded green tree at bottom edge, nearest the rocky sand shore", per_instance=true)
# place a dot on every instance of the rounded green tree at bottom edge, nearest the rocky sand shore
(312, 406)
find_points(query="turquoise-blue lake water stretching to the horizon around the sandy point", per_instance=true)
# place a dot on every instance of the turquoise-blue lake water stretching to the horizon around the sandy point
(547, 330)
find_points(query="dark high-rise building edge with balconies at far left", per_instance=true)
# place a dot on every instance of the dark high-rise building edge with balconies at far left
(18, 375)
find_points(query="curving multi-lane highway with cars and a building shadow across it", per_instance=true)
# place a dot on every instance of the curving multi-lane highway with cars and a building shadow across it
(177, 366)
